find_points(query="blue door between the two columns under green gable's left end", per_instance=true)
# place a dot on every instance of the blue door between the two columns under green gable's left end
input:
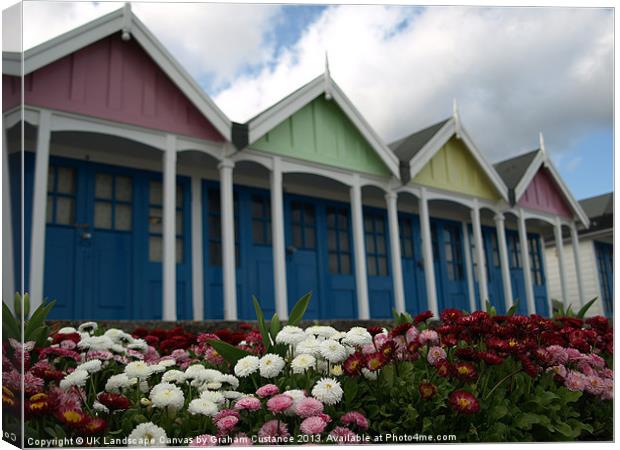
(256, 253)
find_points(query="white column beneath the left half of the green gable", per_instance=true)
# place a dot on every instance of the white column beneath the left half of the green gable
(277, 241)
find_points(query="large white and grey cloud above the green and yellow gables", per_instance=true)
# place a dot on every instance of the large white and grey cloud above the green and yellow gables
(514, 71)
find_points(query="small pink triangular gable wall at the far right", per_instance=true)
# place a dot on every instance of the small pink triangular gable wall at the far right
(544, 195)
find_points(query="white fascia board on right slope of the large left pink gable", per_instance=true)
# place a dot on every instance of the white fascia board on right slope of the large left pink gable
(181, 78)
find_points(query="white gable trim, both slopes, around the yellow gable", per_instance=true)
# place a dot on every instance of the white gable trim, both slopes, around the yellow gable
(445, 133)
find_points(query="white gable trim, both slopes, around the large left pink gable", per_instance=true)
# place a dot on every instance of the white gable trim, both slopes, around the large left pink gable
(119, 21)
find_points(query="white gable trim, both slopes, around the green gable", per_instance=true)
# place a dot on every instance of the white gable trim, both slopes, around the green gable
(272, 117)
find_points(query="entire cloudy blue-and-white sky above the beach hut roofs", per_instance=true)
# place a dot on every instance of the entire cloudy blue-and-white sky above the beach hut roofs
(513, 71)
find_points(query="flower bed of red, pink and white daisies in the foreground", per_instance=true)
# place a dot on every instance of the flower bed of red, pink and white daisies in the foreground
(477, 377)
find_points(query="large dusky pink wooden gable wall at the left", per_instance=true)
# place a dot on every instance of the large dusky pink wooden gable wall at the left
(116, 80)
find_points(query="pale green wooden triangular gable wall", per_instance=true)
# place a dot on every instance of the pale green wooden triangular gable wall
(322, 133)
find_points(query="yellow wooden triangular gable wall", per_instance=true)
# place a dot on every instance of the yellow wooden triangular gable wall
(454, 168)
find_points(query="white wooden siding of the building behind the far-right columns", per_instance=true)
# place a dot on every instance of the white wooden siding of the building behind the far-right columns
(589, 273)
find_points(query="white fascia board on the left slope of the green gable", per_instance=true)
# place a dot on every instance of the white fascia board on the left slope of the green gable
(272, 117)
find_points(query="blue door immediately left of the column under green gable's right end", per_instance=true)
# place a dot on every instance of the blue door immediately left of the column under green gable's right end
(335, 219)
